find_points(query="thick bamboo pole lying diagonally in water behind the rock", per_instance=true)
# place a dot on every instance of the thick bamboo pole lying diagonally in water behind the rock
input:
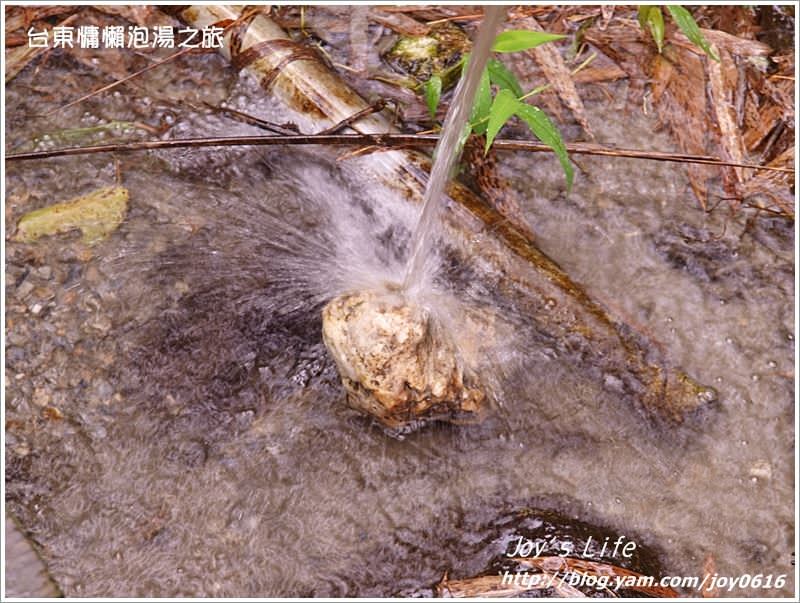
(560, 309)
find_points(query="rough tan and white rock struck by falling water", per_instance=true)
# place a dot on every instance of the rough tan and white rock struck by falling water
(395, 362)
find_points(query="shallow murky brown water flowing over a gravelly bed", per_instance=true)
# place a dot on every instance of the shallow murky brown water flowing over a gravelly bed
(199, 445)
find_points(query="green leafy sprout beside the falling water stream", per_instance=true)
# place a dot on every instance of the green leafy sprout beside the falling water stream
(490, 113)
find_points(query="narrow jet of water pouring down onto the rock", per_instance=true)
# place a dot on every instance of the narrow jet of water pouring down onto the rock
(448, 150)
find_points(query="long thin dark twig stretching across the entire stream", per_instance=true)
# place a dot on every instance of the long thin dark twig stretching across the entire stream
(380, 140)
